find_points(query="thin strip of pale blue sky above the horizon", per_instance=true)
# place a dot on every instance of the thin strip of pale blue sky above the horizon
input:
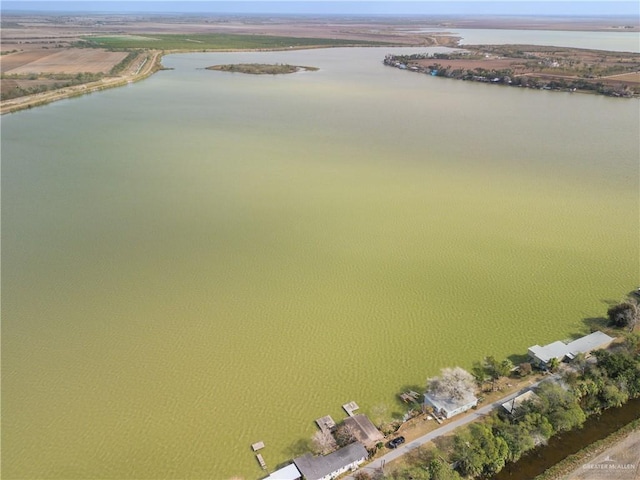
(380, 7)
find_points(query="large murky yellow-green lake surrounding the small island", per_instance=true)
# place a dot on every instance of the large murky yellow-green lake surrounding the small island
(203, 260)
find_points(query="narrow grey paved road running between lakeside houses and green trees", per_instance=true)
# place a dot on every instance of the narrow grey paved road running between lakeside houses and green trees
(378, 463)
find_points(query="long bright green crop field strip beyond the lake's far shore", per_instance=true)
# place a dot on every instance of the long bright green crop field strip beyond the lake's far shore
(215, 41)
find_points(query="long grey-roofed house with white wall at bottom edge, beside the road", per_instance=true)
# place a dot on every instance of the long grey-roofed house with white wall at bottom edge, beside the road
(328, 467)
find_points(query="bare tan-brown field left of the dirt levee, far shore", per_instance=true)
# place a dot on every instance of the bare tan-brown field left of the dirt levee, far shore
(72, 61)
